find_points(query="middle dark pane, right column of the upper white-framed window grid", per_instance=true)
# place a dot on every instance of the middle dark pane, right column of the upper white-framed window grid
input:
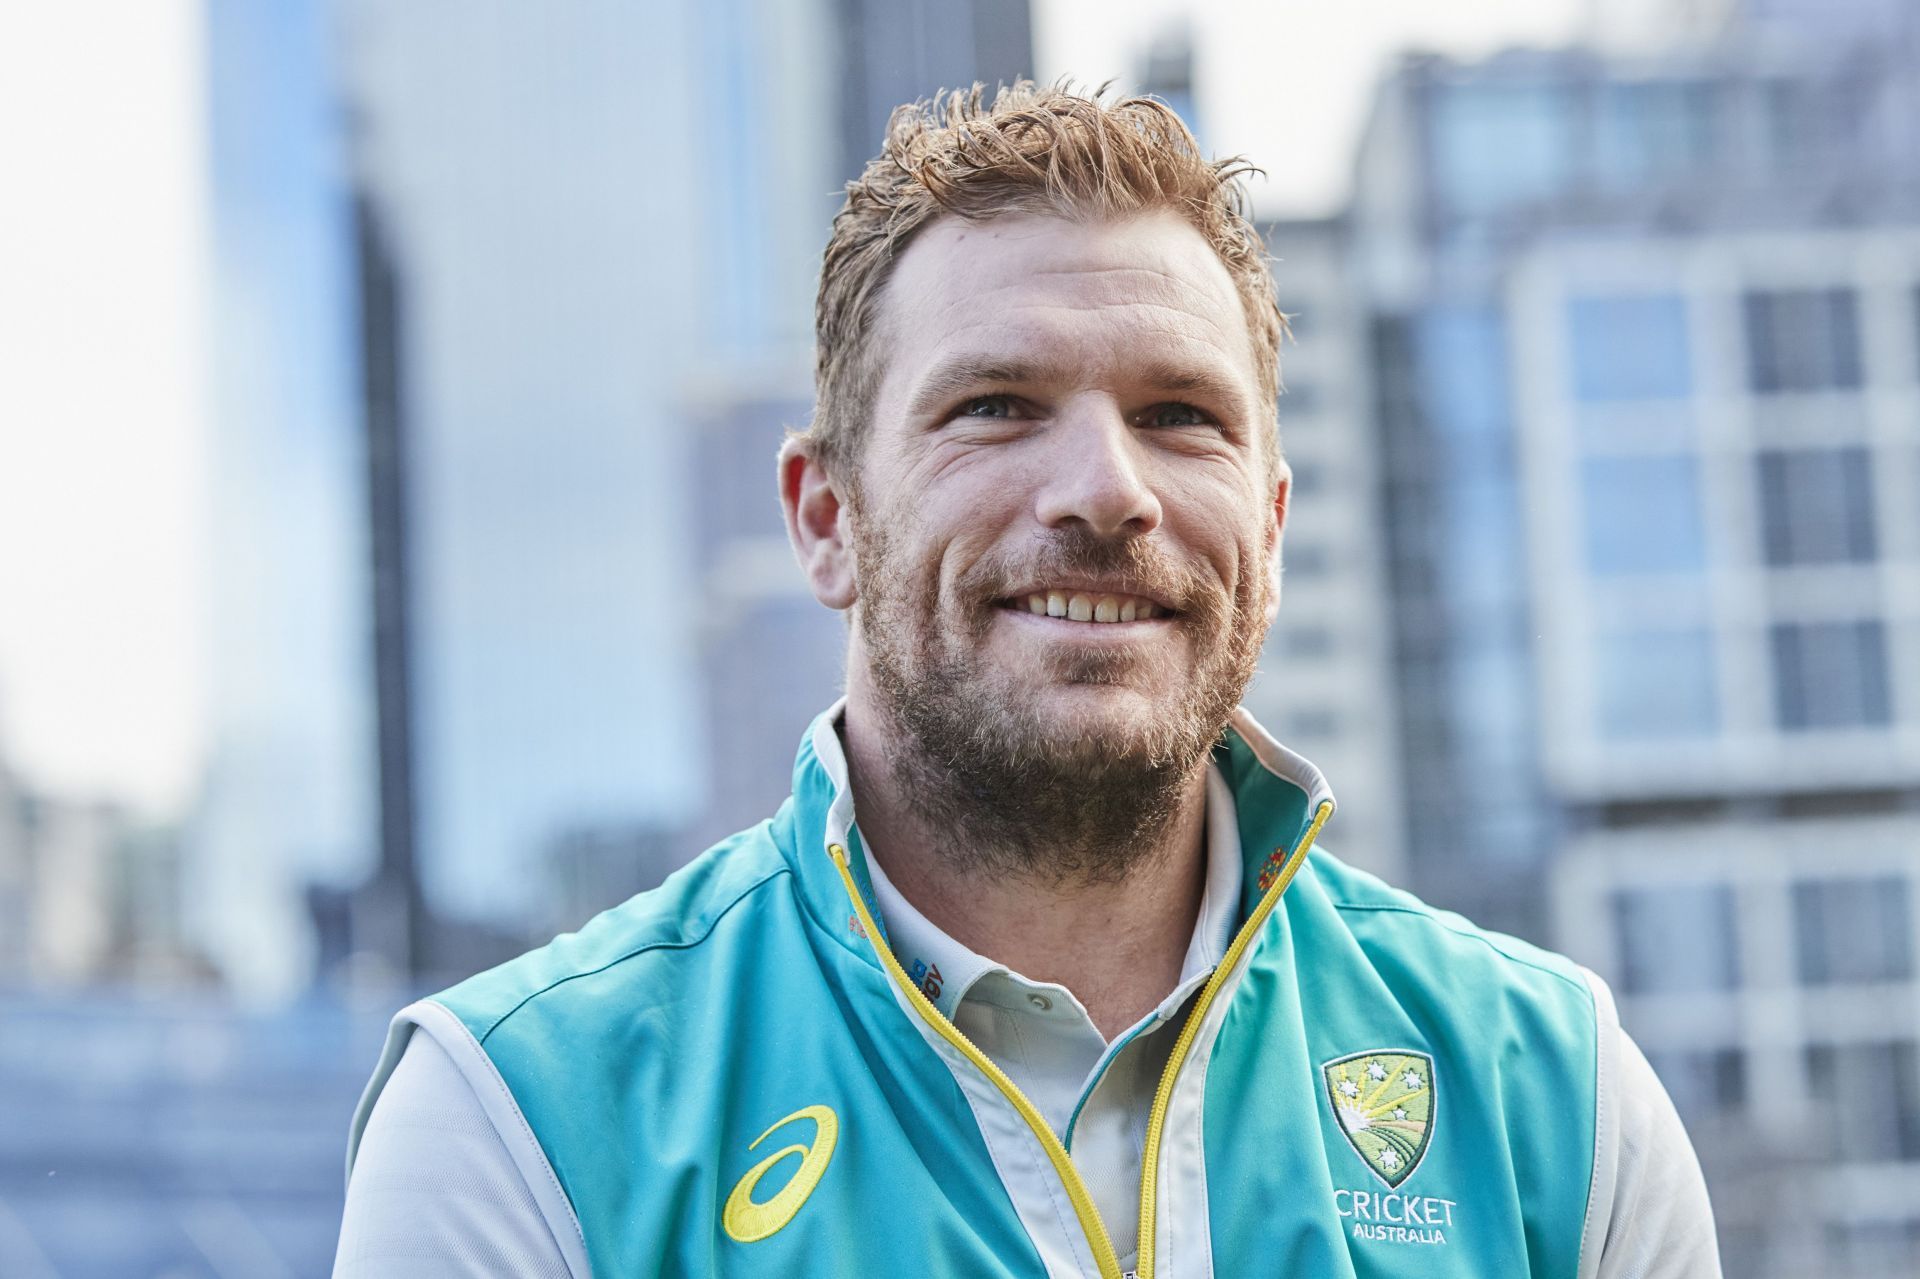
(1817, 506)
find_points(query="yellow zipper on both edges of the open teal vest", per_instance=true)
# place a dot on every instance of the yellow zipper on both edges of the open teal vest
(1084, 1207)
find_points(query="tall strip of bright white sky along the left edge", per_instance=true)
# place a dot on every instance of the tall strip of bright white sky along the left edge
(103, 400)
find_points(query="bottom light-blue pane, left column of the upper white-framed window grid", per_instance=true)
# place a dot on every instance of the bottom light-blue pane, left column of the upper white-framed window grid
(1656, 687)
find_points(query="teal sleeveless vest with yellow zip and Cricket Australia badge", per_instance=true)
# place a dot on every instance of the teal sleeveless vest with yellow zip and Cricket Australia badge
(729, 1076)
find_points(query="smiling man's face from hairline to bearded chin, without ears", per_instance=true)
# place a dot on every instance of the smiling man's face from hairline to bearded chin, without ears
(1067, 523)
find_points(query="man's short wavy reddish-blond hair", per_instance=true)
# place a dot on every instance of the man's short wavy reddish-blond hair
(1030, 151)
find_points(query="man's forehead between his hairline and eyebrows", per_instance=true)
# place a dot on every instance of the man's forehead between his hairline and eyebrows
(1095, 295)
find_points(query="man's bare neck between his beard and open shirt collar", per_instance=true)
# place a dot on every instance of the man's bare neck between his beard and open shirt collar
(1113, 932)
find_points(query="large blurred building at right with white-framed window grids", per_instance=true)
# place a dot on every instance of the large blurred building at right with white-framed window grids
(1646, 337)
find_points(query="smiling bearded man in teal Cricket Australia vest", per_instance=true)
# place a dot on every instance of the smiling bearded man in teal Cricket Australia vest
(1038, 973)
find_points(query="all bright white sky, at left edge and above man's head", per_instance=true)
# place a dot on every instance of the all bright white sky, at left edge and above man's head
(103, 320)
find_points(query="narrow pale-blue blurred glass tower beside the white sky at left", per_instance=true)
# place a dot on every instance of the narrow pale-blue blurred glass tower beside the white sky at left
(289, 786)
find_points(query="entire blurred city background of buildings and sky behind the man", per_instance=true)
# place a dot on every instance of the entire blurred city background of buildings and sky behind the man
(391, 573)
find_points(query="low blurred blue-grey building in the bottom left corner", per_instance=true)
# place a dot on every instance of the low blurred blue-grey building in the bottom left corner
(176, 1138)
